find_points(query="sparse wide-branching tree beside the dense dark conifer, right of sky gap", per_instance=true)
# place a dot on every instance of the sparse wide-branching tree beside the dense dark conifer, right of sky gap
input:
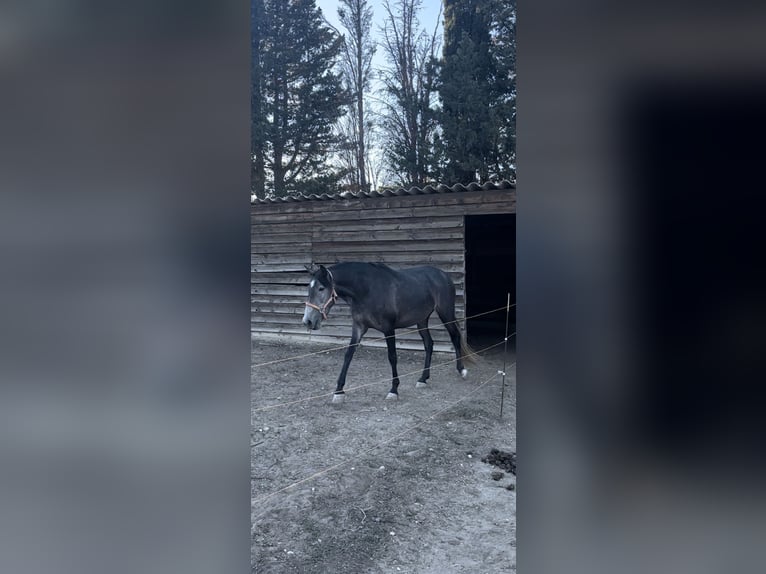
(409, 85)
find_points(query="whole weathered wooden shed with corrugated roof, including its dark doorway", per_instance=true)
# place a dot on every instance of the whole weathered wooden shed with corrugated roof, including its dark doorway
(468, 231)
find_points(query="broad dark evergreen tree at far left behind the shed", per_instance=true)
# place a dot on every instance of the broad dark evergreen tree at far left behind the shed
(300, 96)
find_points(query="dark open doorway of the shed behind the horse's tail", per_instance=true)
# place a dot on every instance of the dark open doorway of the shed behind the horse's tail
(490, 275)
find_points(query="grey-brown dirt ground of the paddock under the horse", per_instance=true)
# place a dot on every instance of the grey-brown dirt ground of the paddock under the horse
(423, 502)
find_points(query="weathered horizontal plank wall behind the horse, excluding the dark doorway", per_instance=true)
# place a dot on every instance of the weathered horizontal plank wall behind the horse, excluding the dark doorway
(399, 231)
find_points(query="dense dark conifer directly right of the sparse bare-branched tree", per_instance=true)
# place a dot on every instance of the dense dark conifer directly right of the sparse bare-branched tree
(469, 118)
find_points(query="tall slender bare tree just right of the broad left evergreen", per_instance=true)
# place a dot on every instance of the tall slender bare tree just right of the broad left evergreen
(356, 68)
